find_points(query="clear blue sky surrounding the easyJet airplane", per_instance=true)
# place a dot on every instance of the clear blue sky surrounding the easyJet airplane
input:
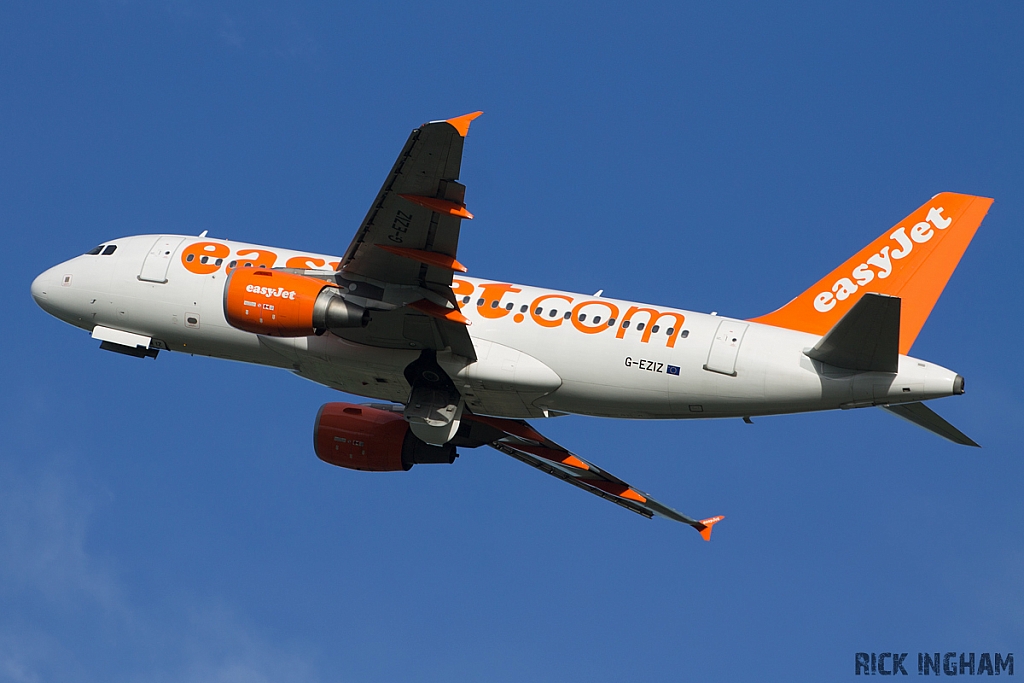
(168, 521)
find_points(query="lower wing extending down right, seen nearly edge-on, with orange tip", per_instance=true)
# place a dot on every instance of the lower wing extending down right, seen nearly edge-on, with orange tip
(520, 440)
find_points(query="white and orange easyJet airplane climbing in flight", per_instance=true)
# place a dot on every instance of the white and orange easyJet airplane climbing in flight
(463, 362)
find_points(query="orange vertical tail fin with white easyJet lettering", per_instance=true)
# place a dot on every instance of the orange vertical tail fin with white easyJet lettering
(913, 261)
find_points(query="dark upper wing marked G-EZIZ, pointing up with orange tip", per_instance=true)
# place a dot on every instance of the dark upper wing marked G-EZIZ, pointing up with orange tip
(401, 263)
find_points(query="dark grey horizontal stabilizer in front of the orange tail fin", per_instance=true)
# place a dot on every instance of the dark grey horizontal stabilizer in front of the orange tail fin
(867, 339)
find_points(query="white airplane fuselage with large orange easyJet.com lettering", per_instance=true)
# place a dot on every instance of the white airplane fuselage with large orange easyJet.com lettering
(533, 361)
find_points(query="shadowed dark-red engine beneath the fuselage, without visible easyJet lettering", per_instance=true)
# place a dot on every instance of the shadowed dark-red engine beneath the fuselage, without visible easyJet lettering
(362, 438)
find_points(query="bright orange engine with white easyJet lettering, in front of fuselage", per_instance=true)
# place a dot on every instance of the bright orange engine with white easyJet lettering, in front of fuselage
(286, 305)
